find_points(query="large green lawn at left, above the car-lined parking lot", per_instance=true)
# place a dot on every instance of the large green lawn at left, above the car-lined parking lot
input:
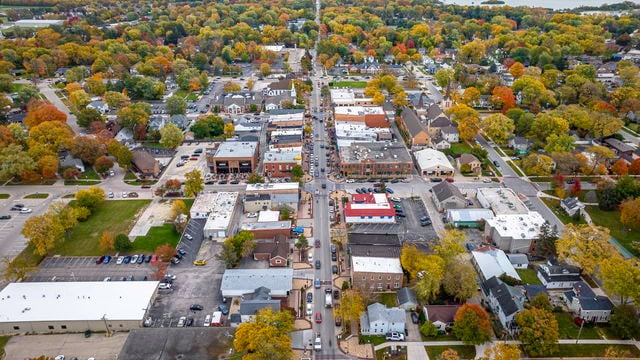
(116, 216)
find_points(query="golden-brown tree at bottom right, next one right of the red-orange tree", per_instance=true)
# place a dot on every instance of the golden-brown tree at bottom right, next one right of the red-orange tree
(538, 331)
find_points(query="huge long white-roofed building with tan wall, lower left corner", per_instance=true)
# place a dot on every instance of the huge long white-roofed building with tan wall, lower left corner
(59, 307)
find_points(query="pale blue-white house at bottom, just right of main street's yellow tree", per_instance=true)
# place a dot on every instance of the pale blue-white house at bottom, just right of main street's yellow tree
(379, 320)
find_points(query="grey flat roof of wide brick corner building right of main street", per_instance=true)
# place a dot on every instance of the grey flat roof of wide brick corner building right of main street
(382, 152)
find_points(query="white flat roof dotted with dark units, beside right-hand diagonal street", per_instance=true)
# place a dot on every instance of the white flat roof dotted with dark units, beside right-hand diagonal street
(518, 226)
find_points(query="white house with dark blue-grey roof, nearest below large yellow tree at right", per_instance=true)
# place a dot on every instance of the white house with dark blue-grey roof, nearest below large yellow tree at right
(586, 305)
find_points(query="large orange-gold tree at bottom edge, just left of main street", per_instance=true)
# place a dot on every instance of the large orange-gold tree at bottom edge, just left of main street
(265, 338)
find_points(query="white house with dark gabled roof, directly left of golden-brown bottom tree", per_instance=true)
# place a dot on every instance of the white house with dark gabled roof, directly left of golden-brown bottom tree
(505, 301)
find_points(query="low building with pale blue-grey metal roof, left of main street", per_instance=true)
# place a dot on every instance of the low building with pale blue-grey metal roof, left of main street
(240, 282)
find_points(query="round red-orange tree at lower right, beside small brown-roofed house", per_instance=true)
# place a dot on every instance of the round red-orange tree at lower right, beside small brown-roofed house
(471, 324)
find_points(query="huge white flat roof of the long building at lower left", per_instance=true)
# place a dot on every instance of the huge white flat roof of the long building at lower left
(76, 301)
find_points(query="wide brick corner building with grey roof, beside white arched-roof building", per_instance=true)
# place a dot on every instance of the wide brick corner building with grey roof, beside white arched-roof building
(377, 159)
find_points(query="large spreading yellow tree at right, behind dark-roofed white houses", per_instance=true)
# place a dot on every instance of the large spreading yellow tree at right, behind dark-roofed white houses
(585, 245)
